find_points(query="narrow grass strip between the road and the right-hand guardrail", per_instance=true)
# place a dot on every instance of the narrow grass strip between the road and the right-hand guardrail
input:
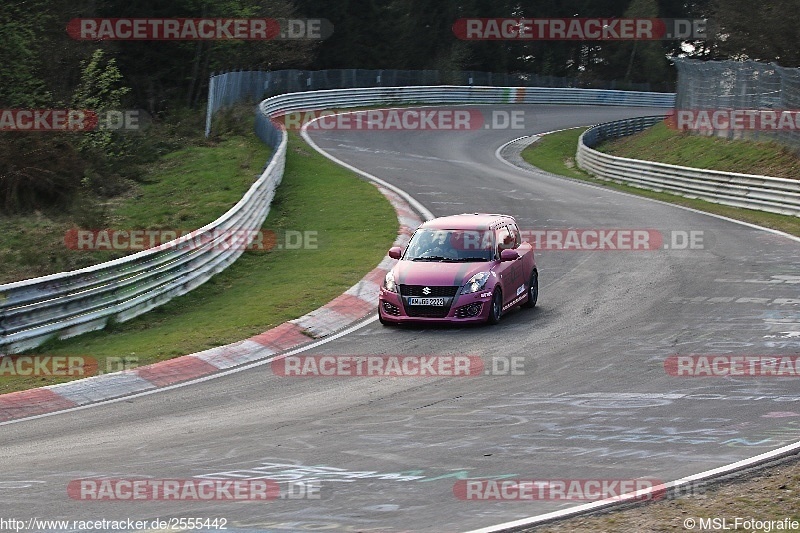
(555, 153)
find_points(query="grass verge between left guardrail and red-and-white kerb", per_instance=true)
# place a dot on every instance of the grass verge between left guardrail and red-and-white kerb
(355, 226)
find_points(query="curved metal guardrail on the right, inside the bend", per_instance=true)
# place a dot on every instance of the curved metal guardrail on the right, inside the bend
(763, 193)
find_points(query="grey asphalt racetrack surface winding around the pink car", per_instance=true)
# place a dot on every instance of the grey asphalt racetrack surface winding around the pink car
(590, 399)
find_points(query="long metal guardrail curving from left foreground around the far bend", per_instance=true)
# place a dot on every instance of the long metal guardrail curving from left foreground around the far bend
(70, 303)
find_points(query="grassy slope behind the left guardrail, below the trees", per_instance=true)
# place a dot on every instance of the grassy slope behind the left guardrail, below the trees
(183, 191)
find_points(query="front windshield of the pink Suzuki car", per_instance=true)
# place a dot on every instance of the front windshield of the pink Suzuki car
(450, 246)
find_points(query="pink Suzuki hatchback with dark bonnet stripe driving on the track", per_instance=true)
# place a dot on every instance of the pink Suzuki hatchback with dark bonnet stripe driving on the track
(460, 268)
